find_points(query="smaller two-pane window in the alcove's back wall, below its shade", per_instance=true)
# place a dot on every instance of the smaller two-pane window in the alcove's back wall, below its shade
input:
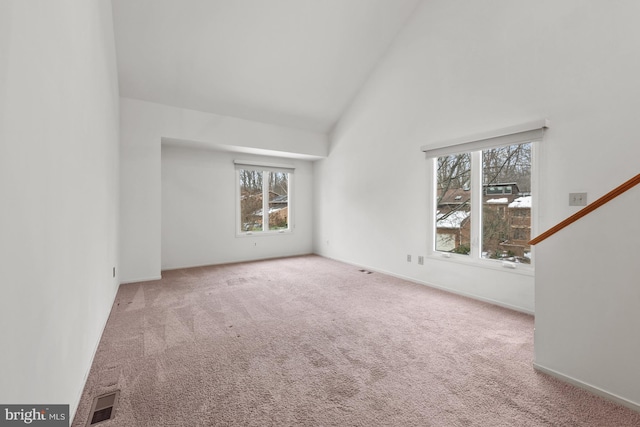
(264, 198)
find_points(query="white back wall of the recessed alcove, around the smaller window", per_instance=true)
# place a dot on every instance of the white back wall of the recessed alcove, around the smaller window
(199, 210)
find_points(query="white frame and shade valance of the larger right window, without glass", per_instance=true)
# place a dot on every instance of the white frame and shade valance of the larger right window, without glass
(532, 132)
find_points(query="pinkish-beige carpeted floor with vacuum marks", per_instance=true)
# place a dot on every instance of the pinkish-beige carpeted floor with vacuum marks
(308, 341)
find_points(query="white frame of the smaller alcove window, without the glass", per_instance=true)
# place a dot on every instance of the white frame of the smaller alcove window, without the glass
(265, 168)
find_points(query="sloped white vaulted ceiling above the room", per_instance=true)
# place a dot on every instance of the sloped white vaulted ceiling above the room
(295, 63)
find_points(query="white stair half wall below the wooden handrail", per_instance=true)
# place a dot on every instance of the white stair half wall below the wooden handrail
(588, 300)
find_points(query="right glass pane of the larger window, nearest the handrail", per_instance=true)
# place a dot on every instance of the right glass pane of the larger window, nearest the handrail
(506, 207)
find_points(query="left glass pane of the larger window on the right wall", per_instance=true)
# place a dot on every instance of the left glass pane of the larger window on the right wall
(453, 204)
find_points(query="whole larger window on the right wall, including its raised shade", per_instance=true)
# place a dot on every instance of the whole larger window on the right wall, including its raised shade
(483, 195)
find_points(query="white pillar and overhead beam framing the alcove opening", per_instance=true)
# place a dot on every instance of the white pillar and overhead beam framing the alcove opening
(143, 126)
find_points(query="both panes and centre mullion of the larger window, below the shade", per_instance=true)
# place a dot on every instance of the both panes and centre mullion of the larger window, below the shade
(506, 196)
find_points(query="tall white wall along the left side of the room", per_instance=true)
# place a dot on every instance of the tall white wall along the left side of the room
(58, 186)
